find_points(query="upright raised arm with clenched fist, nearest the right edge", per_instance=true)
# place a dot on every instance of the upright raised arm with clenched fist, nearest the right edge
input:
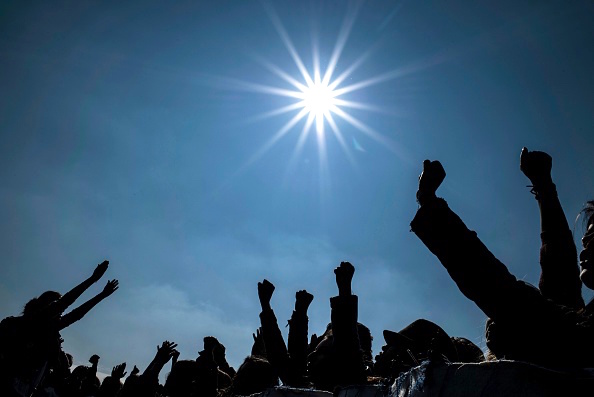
(559, 279)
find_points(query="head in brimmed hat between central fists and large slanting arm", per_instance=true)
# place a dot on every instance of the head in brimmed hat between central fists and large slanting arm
(415, 343)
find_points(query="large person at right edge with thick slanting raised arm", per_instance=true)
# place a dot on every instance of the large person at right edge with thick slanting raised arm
(545, 332)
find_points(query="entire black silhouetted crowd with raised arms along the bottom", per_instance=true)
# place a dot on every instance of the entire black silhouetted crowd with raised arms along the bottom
(549, 325)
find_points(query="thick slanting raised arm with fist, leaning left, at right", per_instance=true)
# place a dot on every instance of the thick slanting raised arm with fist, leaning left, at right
(479, 275)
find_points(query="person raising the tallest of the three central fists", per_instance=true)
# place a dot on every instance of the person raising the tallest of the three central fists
(338, 359)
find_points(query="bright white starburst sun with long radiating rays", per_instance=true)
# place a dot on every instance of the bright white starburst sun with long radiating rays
(316, 96)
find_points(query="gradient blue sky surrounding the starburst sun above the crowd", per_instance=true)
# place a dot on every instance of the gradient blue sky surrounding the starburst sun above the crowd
(125, 134)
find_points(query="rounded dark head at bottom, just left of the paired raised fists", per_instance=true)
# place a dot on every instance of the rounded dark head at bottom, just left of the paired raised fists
(254, 376)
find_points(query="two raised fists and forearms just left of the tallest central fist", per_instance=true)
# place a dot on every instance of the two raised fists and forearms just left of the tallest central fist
(291, 363)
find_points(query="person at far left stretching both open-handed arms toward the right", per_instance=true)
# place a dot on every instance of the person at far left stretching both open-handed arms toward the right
(31, 343)
